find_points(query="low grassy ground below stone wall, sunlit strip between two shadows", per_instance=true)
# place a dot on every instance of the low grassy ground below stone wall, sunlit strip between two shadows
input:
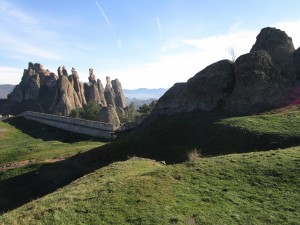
(29, 148)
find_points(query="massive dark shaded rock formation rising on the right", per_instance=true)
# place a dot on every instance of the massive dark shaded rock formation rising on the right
(257, 81)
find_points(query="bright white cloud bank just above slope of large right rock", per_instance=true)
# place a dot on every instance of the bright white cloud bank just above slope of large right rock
(169, 69)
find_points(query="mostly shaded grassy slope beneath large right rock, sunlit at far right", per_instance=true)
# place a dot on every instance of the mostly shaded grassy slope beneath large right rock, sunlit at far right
(213, 133)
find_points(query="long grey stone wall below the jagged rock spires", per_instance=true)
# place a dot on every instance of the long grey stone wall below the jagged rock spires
(92, 128)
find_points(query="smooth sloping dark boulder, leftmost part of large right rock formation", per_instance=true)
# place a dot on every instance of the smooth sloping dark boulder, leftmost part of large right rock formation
(206, 91)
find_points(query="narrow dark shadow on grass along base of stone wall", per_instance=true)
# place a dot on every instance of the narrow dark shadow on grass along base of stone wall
(47, 133)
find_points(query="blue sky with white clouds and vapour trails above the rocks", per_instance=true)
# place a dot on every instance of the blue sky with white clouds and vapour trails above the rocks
(144, 43)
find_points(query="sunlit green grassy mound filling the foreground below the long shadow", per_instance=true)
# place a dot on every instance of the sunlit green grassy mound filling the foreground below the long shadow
(249, 188)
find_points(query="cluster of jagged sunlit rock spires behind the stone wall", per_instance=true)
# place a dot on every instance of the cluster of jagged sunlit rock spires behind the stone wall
(43, 91)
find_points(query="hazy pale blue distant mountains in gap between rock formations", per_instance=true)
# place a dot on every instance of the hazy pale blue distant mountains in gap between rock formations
(144, 93)
